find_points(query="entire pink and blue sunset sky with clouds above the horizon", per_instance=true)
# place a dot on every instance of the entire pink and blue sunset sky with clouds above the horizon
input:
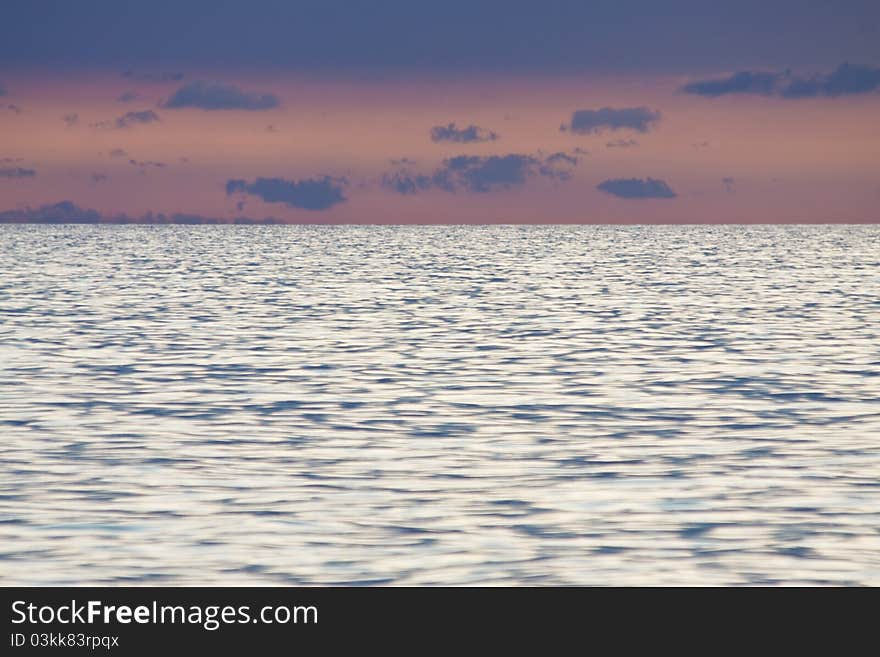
(290, 111)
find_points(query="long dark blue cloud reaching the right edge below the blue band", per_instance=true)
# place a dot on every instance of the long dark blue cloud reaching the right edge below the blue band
(846, 80)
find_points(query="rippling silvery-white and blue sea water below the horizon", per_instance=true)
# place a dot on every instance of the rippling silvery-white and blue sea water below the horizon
(439, 405)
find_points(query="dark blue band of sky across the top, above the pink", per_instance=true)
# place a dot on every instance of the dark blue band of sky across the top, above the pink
(388, 36)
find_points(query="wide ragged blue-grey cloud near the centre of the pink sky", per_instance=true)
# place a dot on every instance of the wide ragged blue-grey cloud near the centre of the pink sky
(477, 174)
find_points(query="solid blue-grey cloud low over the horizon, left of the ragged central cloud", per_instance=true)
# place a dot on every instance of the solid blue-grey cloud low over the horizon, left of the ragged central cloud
(319, 193)
